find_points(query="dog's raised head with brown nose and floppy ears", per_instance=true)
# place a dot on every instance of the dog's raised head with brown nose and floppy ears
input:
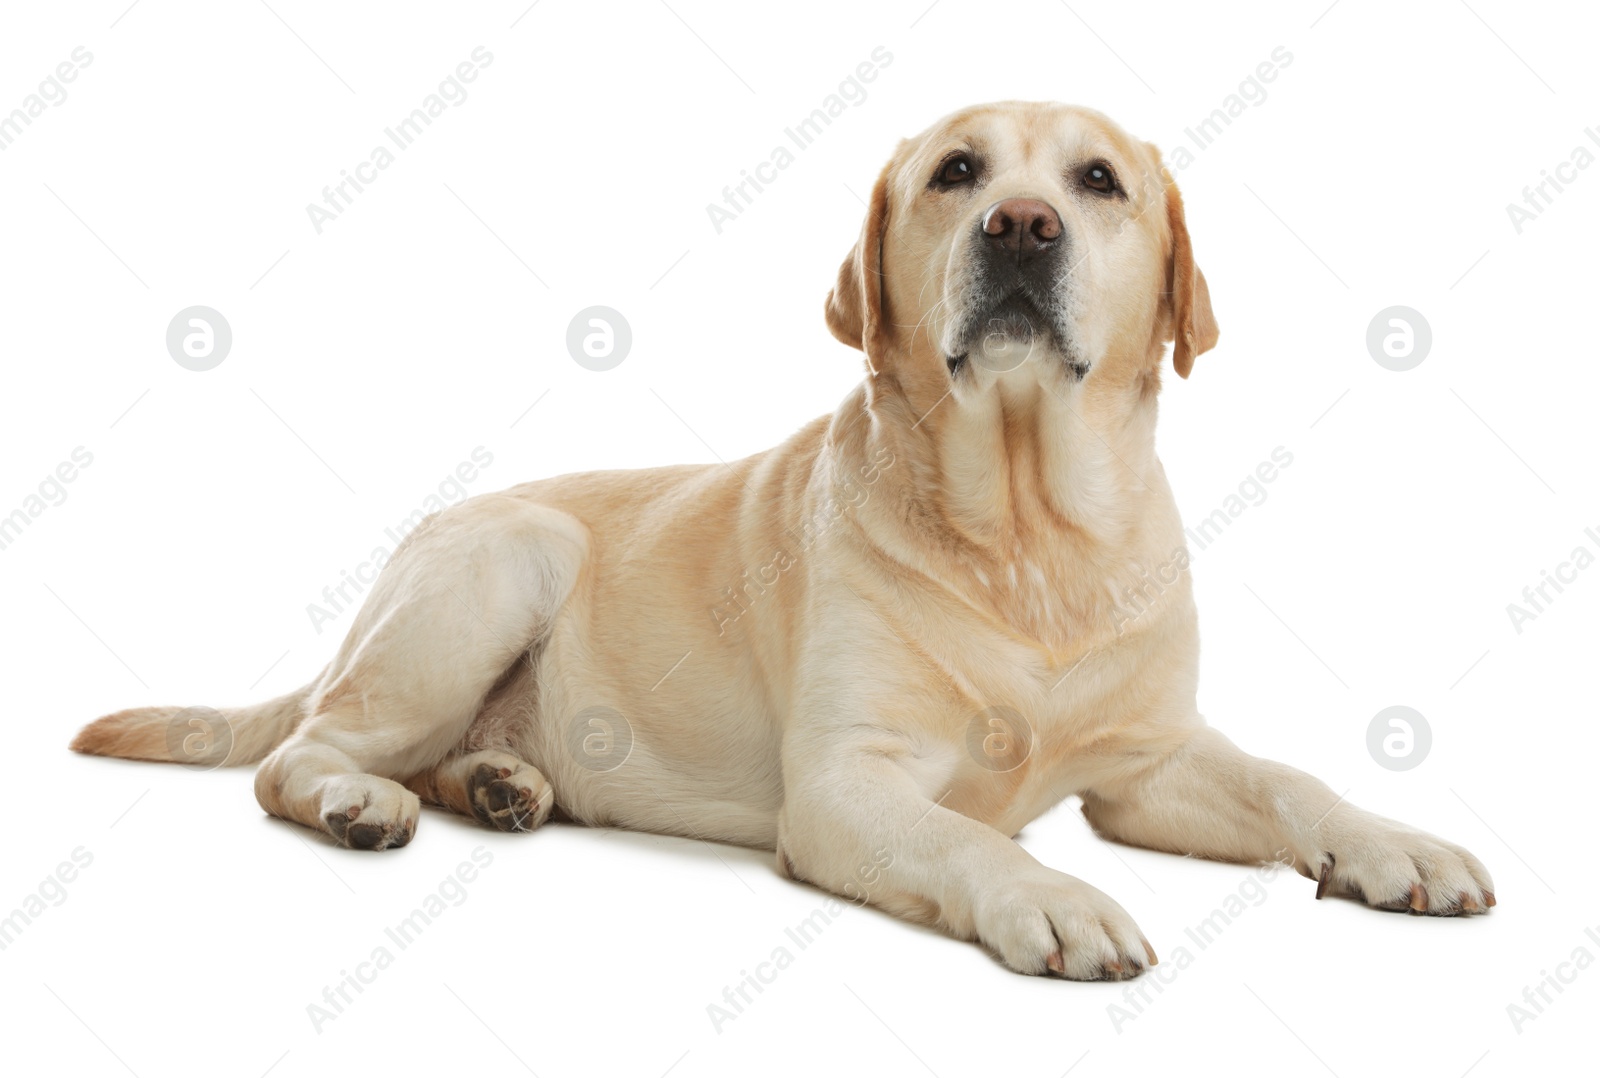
(1023, 234)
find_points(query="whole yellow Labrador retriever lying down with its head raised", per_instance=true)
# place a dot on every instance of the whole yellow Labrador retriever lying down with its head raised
(886, 645)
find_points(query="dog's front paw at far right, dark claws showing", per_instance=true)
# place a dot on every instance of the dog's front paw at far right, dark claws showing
(1396, 868)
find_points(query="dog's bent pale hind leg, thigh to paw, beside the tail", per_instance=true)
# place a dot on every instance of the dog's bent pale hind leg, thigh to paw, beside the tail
(466, 596)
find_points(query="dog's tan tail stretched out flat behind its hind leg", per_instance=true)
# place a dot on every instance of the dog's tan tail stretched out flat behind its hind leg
(201, 737)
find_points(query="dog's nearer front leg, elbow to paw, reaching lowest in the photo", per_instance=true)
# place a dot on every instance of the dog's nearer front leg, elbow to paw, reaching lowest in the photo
(863, 823)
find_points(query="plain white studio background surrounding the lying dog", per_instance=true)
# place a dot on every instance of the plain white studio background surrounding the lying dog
(372, 359)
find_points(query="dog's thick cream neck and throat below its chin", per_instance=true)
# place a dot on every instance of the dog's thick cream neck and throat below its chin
(1023, 495)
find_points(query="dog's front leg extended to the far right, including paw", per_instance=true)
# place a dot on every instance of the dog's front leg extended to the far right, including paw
(1212, 801)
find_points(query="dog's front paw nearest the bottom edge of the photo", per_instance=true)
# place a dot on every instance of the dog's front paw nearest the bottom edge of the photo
(1052, 924)
